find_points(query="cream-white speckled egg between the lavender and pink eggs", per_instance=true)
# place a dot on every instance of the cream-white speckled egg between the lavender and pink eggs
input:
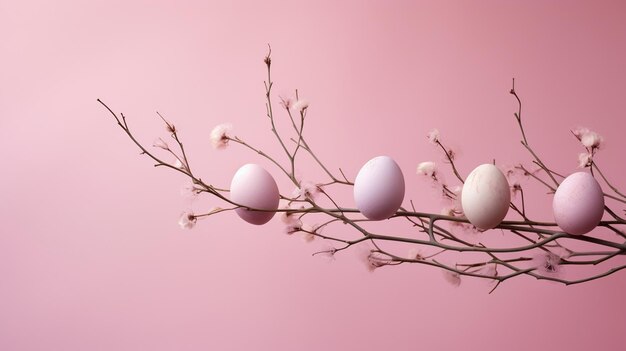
(485, 197)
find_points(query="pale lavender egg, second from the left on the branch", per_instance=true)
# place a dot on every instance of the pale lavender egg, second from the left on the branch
(379, 188)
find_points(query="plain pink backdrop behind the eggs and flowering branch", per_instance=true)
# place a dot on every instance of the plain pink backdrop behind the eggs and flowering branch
(91, 256)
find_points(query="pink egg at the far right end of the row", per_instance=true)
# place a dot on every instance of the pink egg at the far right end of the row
(578, 204)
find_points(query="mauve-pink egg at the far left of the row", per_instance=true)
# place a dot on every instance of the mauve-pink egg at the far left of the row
(253, 187)
